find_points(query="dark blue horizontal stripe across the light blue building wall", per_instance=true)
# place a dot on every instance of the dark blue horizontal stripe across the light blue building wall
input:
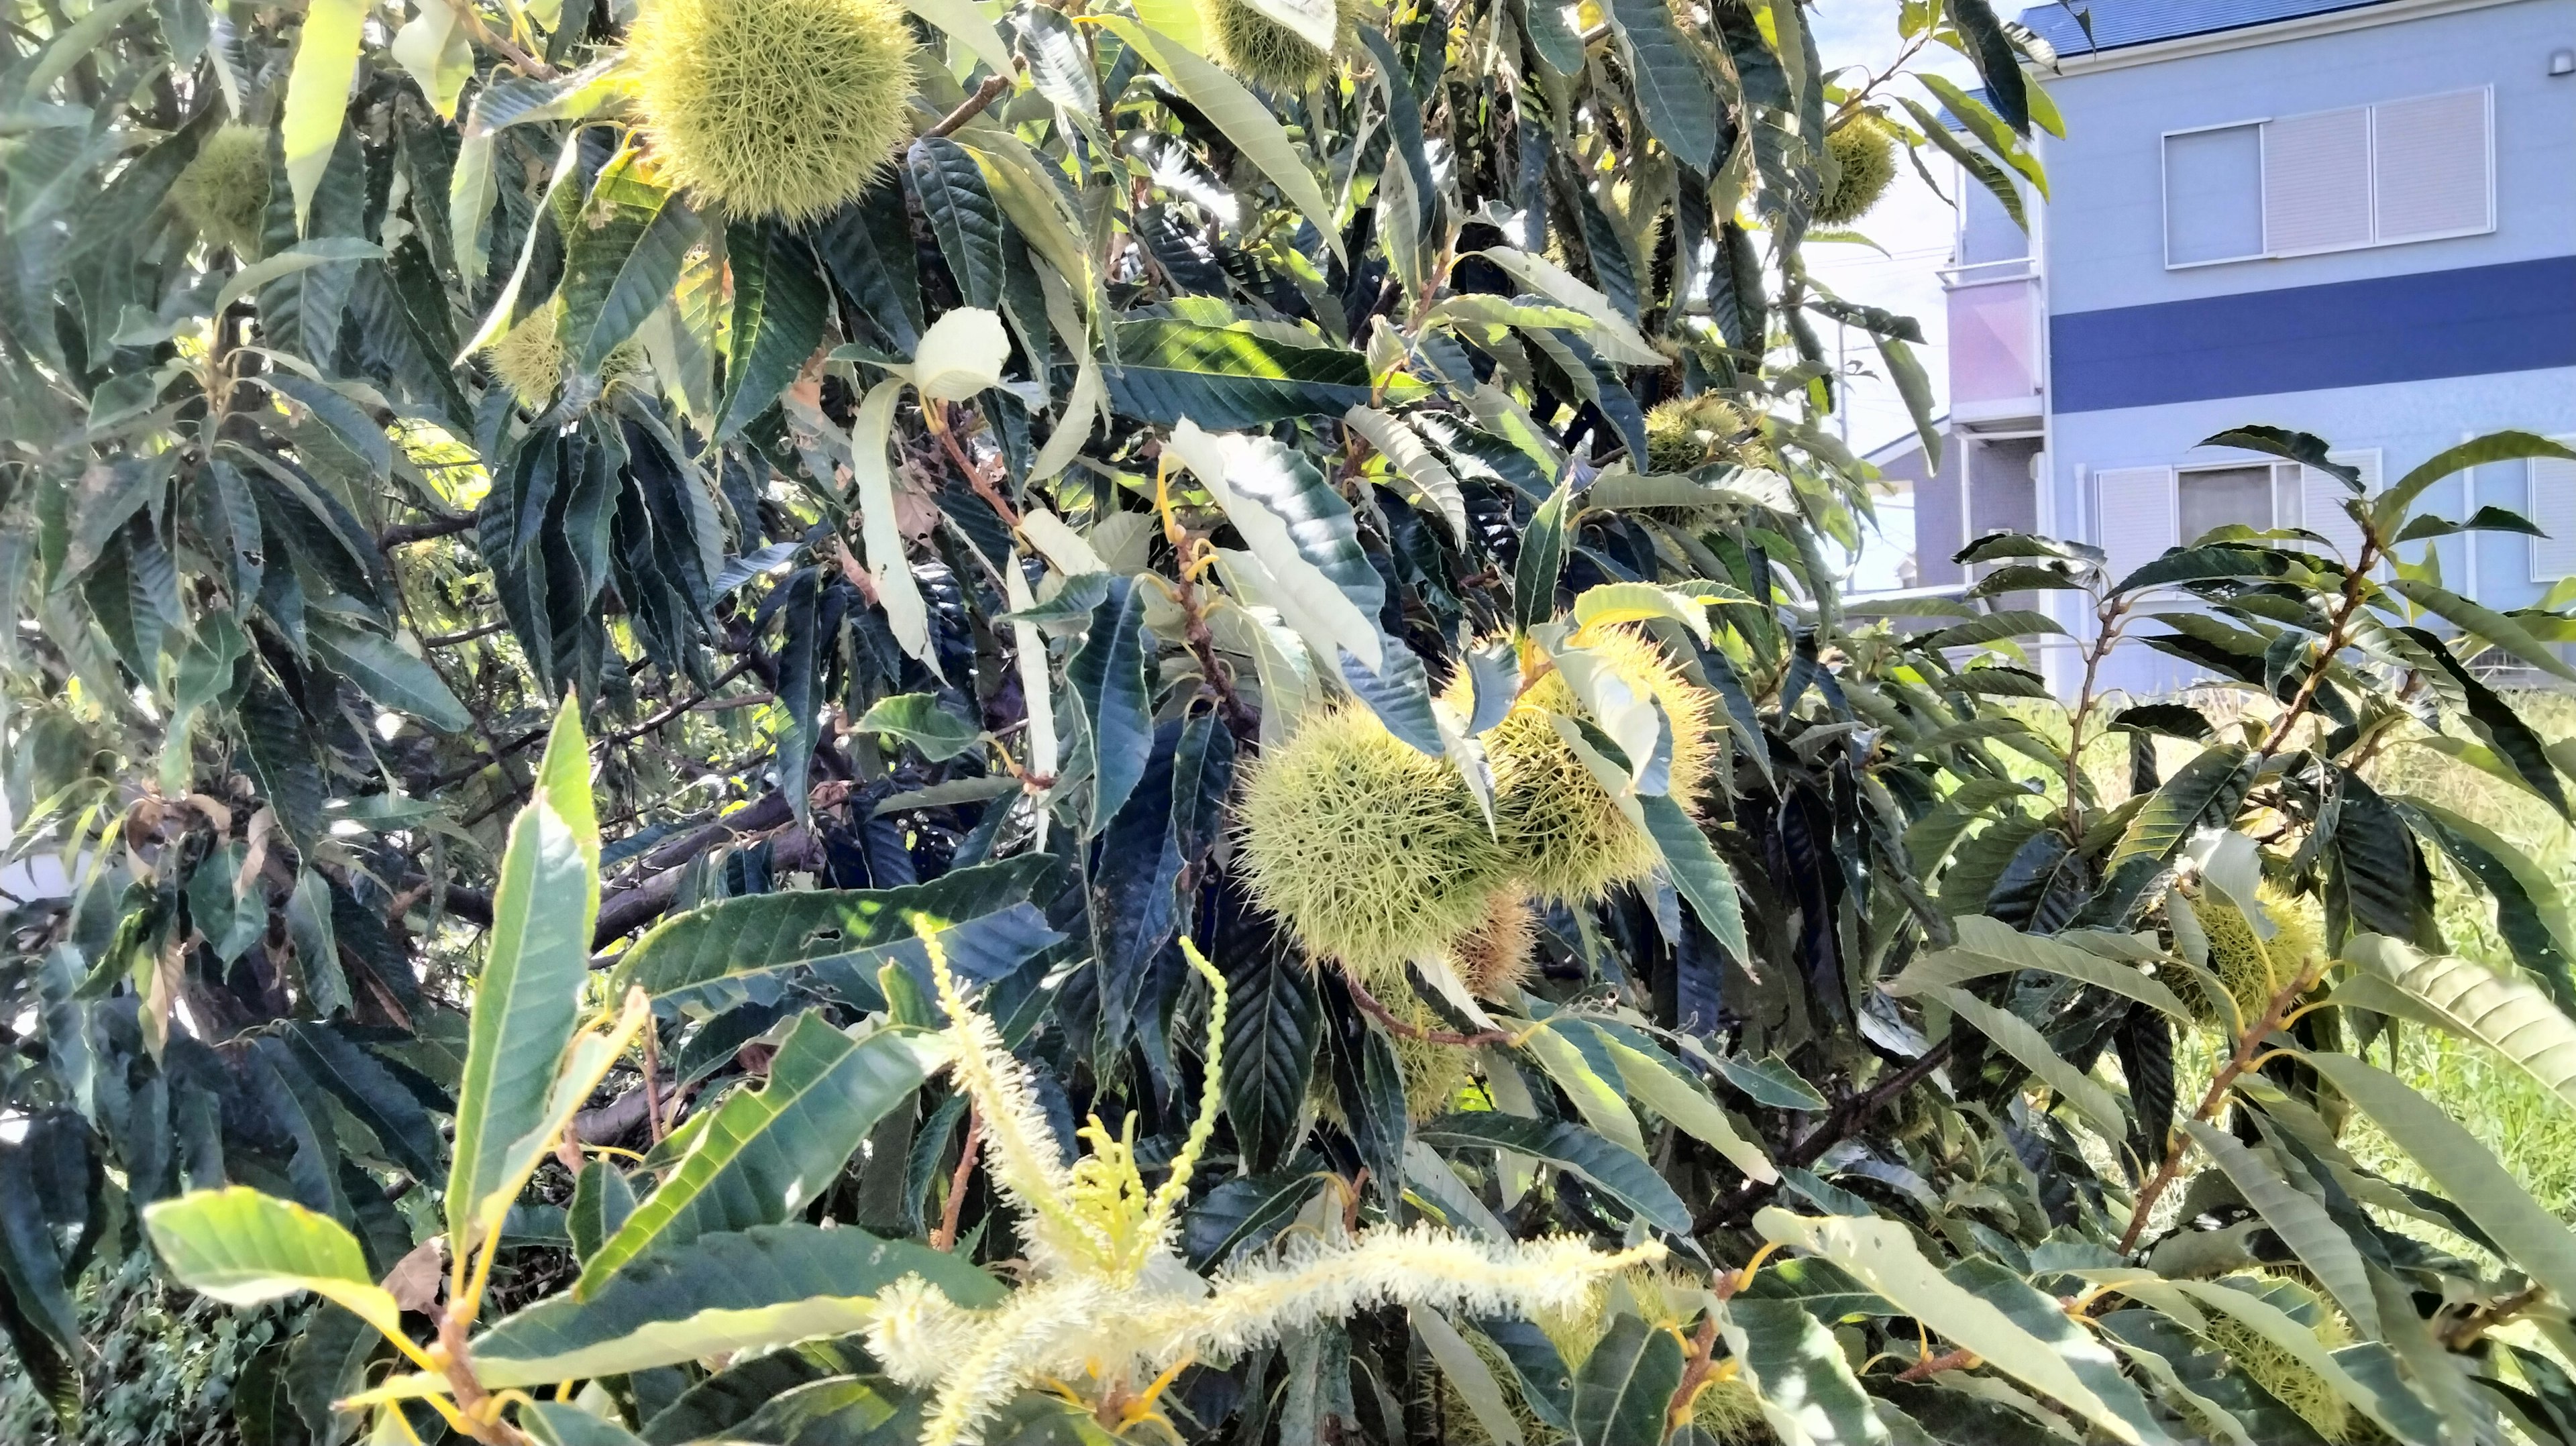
(2309, 339)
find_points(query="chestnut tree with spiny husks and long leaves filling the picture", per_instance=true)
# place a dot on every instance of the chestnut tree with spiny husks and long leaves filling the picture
(1132, 720)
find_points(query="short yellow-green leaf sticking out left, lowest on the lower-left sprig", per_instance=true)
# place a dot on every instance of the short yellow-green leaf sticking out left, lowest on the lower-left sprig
(246, 1249)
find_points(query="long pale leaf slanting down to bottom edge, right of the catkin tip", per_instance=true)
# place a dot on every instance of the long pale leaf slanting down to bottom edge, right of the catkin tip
(1884, 1259)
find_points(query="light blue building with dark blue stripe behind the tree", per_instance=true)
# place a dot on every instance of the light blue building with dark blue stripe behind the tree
(2351, 218)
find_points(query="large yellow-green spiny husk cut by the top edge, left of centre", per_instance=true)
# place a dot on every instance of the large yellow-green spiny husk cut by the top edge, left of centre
(774, 107)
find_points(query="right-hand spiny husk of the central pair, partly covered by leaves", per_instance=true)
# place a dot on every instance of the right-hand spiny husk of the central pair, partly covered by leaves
(1562, 831)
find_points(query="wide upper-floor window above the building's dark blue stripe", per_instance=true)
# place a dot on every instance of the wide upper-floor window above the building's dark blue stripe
(2330, 182)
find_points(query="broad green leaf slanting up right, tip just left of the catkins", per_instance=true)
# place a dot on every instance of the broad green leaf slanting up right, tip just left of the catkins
(769, 1153)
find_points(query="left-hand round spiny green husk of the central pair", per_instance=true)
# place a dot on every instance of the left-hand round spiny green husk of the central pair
(1367, 847)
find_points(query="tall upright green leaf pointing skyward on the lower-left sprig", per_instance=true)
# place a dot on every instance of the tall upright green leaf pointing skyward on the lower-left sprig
(529, 991)
